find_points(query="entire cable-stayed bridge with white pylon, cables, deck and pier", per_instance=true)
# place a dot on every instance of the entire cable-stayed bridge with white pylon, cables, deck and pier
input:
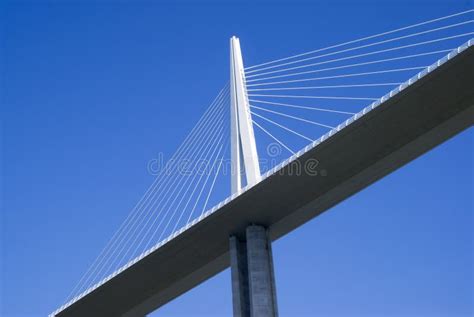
(288, 138)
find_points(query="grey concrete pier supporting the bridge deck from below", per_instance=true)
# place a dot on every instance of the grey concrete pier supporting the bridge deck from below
(253, 281)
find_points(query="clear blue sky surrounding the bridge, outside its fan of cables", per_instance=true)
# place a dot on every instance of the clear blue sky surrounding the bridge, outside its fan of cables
(91, 91)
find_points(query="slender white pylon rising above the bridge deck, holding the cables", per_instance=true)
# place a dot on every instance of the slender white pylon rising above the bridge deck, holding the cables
(244, 157)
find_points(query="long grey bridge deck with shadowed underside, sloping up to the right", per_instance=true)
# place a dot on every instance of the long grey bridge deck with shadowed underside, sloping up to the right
(403, 127)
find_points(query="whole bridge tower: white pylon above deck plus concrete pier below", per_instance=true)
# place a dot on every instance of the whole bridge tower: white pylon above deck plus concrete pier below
(253, 281)
